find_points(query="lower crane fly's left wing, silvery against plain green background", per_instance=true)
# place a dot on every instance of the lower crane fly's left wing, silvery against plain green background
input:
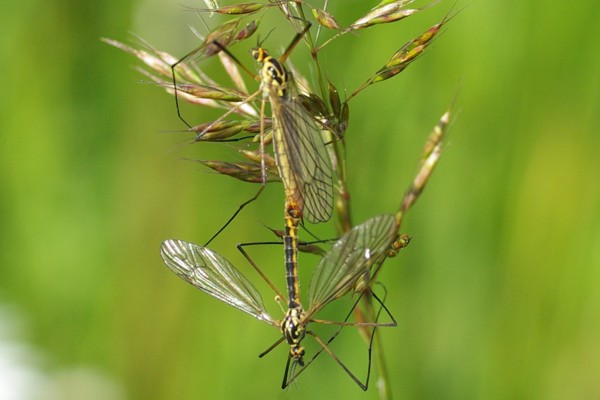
(214, 275)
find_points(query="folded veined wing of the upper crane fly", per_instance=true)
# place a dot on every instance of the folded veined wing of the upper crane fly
(302, 158)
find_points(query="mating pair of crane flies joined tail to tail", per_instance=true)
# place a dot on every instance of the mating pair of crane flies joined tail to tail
(305, 170)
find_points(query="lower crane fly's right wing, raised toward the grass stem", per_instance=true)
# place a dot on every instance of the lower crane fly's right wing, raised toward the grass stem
(349, 259)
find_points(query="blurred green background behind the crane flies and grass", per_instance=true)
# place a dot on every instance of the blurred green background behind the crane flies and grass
(497, 297)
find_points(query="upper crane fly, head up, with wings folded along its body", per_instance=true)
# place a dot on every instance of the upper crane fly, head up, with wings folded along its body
(300, 153)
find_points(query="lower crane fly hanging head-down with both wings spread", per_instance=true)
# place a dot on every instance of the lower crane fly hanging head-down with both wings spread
(350, 259)
